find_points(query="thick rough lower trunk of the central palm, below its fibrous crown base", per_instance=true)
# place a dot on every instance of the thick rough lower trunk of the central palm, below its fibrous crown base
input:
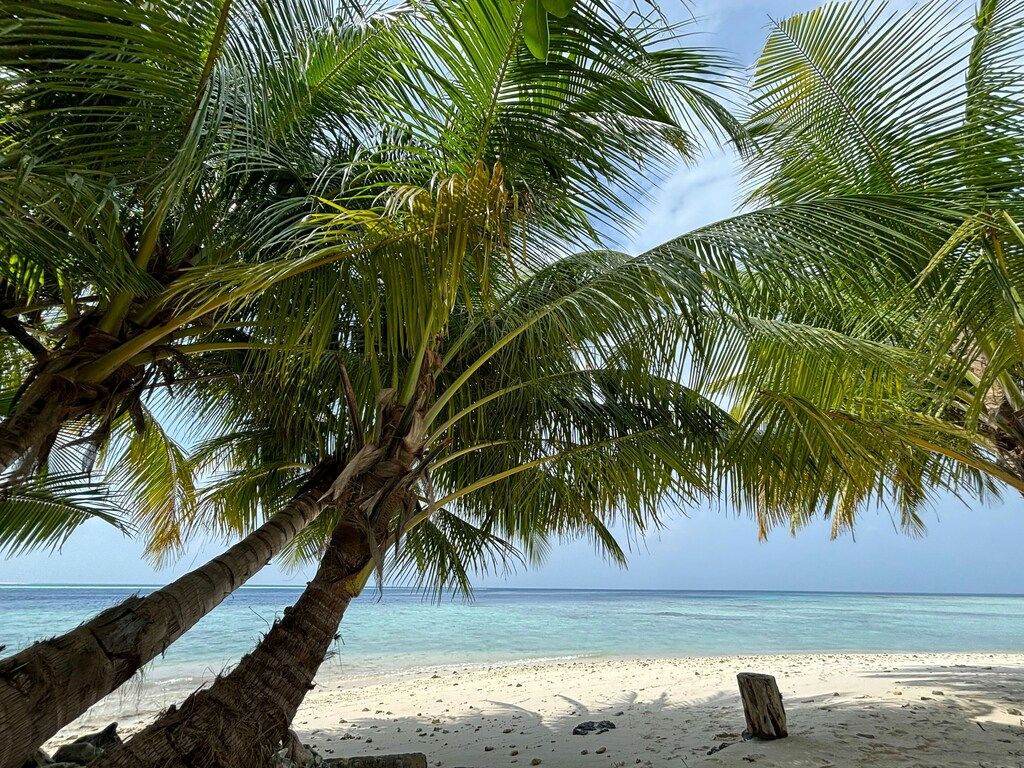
(240, 720)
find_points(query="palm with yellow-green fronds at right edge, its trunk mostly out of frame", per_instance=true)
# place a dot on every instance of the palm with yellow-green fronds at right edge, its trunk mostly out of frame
(875, 295)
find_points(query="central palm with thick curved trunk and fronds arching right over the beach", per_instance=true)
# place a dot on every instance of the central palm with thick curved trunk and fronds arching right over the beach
(493, 432)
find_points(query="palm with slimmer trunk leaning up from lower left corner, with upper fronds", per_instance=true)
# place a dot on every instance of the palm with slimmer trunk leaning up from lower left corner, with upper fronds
(527, 97)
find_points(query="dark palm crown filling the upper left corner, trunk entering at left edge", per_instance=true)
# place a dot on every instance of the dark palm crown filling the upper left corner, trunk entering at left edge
(144, 146)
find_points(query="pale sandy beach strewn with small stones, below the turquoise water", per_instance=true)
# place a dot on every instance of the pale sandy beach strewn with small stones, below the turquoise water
(922, 710)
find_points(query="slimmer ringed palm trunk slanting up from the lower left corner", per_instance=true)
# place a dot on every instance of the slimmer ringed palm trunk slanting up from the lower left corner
(48, 686)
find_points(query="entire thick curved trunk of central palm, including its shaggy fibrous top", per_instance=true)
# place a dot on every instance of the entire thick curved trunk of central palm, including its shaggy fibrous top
(240, 720)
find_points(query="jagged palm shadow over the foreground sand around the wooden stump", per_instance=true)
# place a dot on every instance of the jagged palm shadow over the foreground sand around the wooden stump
(928, 717)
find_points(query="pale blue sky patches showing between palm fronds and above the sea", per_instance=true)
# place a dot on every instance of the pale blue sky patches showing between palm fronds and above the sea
(971, 549)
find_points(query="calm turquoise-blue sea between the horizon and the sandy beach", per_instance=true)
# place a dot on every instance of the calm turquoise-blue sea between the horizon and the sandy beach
(401, 631)
